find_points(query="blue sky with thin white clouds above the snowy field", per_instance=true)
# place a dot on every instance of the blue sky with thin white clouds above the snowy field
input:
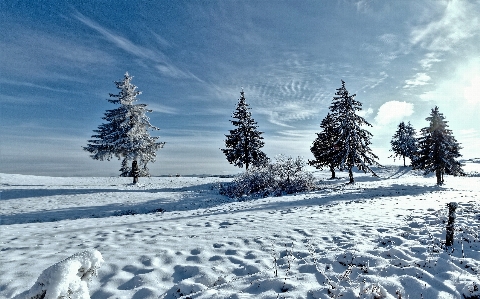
(58, 61)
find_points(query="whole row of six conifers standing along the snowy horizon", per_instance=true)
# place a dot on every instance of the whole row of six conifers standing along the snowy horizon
(342, 143)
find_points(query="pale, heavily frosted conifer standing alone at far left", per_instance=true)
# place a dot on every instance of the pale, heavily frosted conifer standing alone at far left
(125, 134)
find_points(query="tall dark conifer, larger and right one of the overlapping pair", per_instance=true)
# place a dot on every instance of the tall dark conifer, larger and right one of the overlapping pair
(353, 141)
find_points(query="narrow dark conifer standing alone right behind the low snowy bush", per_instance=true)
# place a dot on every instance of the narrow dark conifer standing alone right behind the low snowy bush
(244, 143)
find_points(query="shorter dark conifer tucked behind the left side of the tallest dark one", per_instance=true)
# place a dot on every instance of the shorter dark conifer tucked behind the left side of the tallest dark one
(326, 146)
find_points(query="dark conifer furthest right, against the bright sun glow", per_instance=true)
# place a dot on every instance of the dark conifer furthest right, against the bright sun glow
(438, 148)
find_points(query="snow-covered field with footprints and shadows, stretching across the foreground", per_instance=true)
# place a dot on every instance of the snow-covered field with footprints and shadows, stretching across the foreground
(176, 237)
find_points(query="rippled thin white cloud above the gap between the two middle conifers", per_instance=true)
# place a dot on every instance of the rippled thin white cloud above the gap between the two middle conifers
(284, 91)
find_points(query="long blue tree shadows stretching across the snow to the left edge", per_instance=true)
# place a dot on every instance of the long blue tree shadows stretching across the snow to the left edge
(197, 197)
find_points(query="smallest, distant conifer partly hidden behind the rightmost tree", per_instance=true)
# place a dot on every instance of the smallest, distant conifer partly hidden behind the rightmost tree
(404, 142)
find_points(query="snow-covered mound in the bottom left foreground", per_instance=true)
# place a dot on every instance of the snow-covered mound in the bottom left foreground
(66, 279)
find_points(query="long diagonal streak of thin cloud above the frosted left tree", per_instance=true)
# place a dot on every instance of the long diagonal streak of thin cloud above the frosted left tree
(160, 61)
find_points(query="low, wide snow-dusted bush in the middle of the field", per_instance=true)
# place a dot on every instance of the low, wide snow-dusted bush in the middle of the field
(285, 176)
